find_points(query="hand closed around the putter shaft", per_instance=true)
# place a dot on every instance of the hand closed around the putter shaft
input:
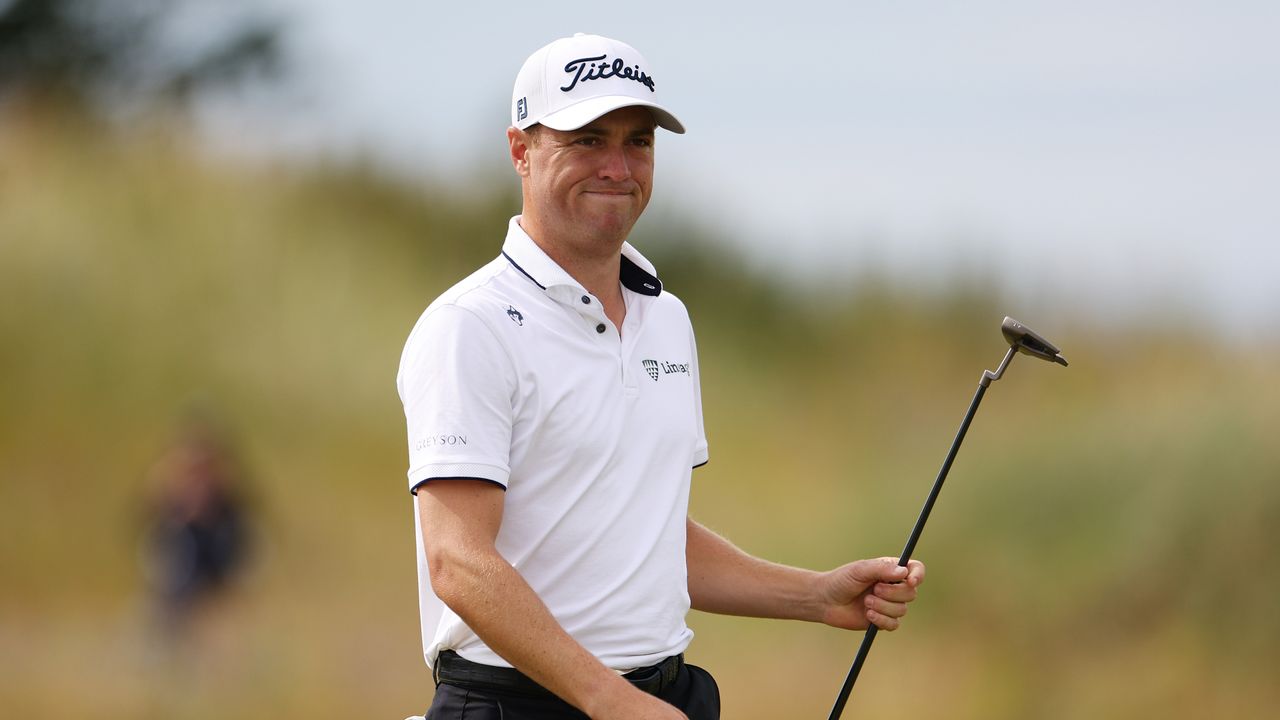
(870, 593)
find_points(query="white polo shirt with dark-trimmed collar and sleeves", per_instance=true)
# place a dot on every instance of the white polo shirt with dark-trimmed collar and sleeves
(516, 377)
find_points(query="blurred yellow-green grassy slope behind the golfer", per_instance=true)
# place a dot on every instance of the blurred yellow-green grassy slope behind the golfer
(1105, 546)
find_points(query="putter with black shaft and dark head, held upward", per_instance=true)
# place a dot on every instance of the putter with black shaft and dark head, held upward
(1021, 340)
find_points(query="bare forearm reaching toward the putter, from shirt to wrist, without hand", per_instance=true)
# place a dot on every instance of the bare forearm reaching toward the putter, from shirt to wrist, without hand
(726, 581)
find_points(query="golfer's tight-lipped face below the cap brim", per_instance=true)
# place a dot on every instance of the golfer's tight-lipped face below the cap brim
(586, 189)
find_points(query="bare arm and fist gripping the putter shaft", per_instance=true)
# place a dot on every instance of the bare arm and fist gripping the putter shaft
(726, 581)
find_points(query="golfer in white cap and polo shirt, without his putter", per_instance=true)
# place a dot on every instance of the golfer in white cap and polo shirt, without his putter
(555, 420)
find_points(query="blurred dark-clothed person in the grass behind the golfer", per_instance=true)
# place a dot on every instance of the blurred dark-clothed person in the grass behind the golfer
(198, 536)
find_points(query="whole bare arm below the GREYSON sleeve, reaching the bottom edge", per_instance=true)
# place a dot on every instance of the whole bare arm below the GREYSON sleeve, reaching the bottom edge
(460, 522)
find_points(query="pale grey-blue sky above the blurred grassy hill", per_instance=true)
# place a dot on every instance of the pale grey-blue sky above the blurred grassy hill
(1112, 158)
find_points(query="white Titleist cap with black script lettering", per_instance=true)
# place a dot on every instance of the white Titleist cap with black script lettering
(575, 80)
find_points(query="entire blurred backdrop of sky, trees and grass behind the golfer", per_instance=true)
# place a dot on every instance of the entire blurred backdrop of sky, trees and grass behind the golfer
(220, 221)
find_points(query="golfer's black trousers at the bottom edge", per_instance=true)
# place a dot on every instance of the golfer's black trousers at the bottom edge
(694, 692)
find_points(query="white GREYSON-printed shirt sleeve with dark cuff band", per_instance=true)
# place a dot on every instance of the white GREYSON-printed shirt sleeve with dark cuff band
(458, 382)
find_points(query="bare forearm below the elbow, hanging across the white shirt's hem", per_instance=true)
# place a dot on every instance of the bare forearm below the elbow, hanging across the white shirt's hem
(496, 601)
